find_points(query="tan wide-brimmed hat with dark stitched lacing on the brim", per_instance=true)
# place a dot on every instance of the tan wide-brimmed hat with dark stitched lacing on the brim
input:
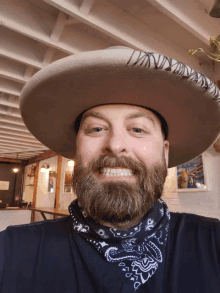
(189, 102)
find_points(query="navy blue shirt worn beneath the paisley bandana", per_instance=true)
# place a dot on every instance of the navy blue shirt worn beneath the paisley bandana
(50, 256)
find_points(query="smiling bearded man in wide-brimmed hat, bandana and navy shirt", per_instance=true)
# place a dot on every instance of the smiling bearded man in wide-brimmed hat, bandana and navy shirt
(124, 117)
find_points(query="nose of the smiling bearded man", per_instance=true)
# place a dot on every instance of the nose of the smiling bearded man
(116, 144)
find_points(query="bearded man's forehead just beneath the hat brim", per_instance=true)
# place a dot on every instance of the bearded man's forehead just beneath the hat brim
(121, 110)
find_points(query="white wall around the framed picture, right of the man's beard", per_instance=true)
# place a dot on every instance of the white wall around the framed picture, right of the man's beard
(205, 203)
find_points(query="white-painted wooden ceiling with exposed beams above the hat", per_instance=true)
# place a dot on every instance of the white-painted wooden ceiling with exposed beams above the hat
(35, 33)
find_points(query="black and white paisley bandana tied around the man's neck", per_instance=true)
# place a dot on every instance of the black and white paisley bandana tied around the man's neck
(139, 250)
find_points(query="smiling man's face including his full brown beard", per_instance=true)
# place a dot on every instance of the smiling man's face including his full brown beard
(121, 163)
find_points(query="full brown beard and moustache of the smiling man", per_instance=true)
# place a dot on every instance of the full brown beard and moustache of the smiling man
(118, 202)
